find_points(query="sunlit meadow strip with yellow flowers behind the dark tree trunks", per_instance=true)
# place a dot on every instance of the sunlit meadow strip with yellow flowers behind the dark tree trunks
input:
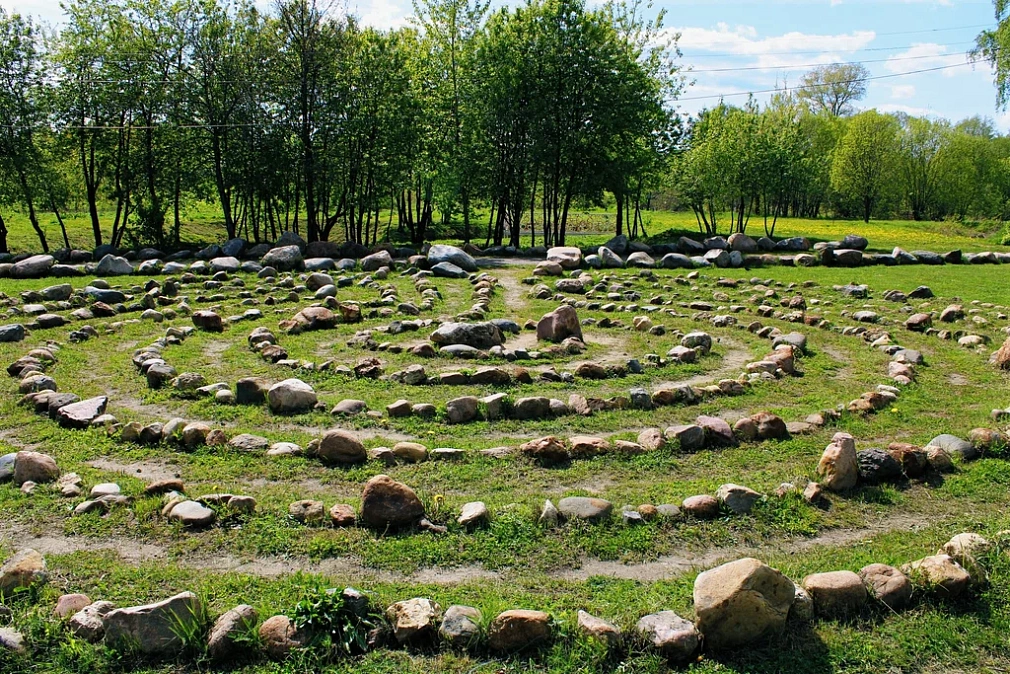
(204, 226)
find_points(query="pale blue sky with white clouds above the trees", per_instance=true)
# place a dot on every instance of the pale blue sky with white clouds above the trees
(733, 48)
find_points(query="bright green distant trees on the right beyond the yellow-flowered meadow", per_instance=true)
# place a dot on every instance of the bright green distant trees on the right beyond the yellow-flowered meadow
(807, 155)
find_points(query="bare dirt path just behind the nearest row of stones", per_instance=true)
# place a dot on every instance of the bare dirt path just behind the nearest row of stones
(664, 568)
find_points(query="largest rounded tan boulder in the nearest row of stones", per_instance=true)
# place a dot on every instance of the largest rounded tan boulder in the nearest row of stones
(742, 603)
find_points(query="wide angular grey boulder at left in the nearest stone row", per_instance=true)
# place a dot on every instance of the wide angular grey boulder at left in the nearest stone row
(158, 629)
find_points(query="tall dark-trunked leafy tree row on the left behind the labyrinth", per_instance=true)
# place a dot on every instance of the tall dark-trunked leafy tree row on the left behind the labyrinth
(300, 119)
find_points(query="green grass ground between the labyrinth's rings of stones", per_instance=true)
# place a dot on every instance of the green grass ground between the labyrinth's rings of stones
(134, 555)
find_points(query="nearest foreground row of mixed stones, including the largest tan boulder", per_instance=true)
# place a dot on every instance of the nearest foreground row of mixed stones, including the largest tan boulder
(737, 605)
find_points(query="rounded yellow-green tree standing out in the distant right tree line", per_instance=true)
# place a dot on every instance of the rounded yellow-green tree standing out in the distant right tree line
(863, 171)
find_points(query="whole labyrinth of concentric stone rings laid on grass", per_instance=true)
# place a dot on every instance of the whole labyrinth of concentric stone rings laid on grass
(492, 435)
